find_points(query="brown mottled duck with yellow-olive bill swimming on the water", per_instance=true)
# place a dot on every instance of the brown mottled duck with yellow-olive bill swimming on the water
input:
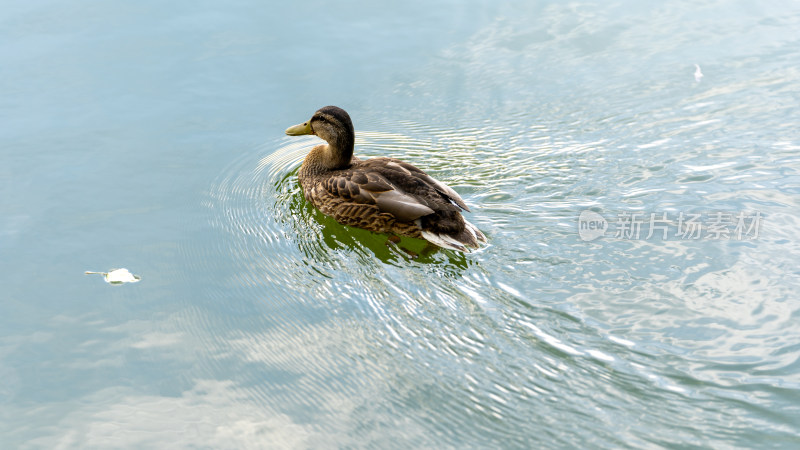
(381, 194)
